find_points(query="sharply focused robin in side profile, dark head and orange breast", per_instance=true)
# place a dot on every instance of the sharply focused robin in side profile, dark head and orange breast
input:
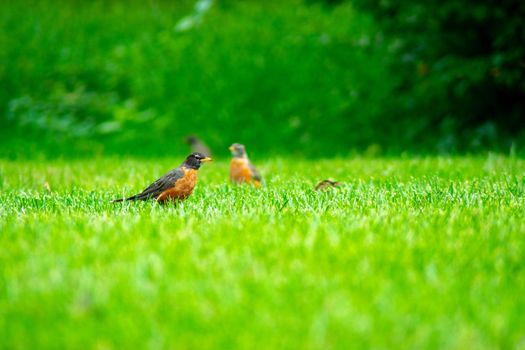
(175, 185)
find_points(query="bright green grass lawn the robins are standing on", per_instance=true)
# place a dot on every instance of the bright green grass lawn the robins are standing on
(409, 253)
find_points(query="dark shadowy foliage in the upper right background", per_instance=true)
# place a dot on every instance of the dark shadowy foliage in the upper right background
(462, 68)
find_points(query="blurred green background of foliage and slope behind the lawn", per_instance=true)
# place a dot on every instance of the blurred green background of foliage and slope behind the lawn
(292, 77)
